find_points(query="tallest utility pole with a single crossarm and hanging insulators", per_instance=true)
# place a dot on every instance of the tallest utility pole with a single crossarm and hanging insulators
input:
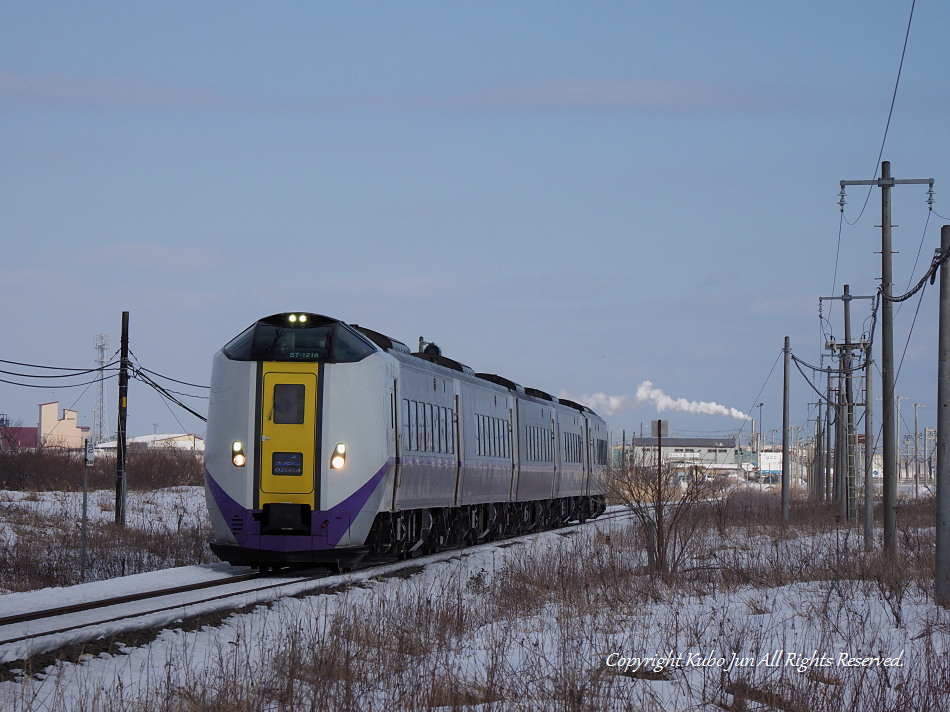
(885, 183)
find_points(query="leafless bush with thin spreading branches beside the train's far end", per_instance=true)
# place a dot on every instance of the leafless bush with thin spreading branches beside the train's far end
(665, 500)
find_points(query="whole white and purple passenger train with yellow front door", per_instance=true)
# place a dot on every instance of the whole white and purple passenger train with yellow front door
(329, 442)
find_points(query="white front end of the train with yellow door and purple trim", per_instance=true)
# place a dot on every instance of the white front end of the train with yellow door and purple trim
(285, 483)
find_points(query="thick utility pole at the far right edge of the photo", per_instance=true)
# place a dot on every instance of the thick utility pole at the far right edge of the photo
(942, 569)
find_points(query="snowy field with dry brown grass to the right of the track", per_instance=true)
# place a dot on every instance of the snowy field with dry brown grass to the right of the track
(763, 618)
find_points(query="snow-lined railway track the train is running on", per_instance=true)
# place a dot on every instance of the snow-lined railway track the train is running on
(30, 633)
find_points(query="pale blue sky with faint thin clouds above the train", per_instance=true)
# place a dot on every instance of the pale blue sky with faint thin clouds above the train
(597, 199)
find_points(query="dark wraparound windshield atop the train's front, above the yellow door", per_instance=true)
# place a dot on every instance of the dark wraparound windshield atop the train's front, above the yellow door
(314, 339)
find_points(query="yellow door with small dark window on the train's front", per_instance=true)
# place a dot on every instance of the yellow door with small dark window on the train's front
(288, 436)
